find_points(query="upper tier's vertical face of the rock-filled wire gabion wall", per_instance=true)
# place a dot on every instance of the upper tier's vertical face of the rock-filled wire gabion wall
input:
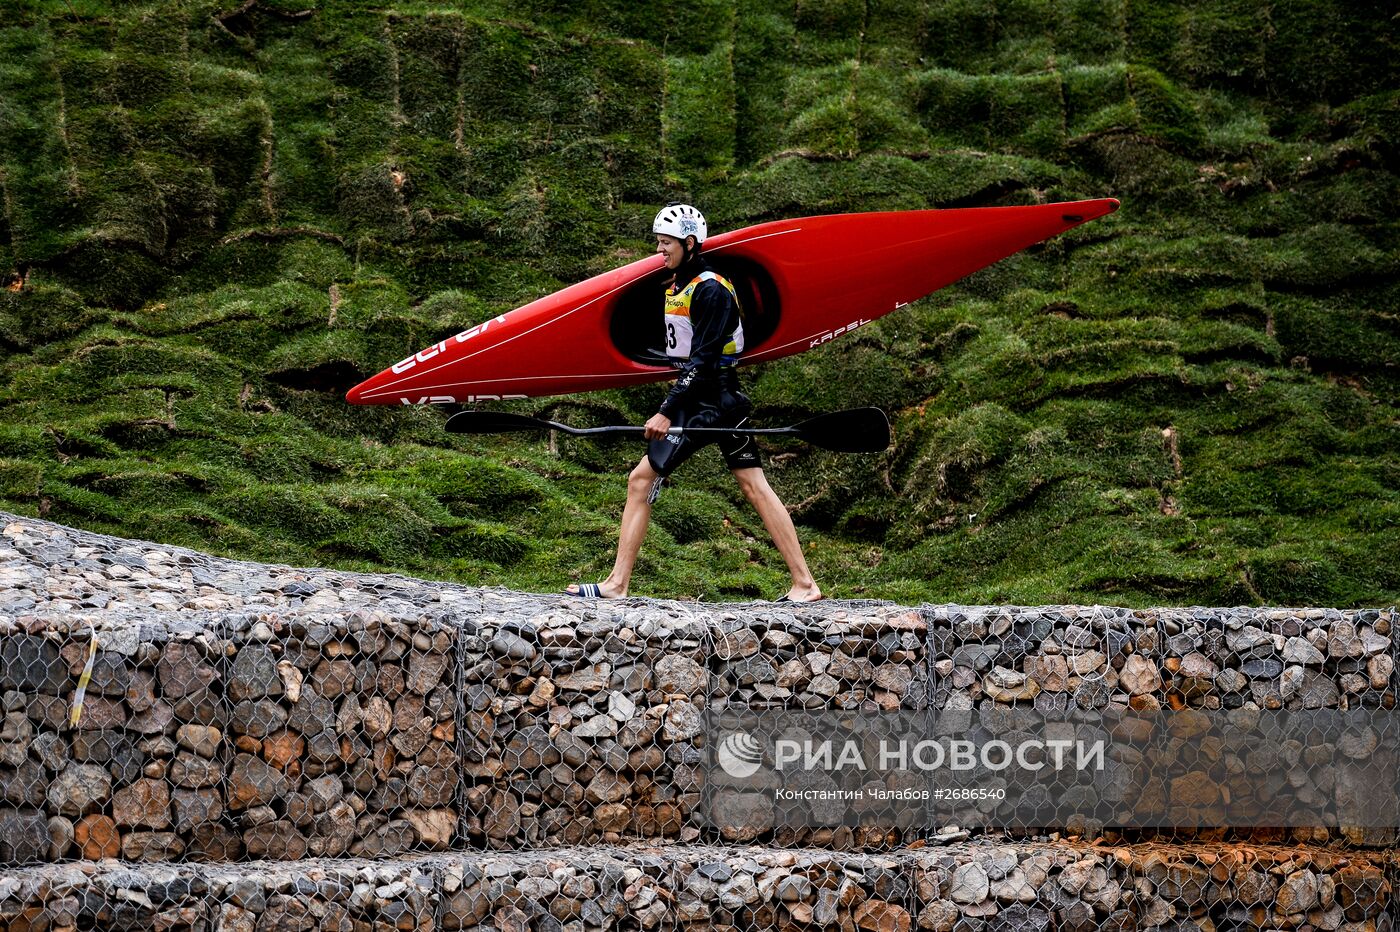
(226, 737)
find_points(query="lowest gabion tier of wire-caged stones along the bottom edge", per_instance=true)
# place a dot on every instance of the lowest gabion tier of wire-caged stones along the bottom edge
(960, 888)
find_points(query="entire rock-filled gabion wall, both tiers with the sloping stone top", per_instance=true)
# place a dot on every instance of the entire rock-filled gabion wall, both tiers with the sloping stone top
(432, 756)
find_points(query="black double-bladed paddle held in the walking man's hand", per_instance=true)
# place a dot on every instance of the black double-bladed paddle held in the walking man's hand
(859, 430)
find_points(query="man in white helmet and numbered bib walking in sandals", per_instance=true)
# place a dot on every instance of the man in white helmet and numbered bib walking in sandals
(705, 339)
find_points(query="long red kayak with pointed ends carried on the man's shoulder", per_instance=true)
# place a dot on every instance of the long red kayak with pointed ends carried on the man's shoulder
(801, 283)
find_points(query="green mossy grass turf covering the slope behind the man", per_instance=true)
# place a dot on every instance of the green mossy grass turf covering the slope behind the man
(225, 222)
